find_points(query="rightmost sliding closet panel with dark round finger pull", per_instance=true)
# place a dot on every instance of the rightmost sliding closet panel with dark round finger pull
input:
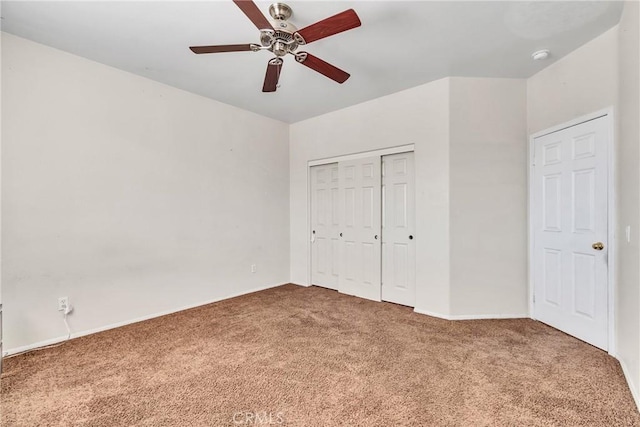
(398, 225)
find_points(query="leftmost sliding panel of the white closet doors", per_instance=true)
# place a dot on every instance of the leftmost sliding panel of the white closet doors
(325, 248)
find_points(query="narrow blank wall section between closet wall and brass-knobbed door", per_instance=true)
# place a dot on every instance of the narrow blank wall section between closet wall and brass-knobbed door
(488, 195)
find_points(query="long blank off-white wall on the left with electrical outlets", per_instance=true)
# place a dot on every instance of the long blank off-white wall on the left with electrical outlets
(131, 197)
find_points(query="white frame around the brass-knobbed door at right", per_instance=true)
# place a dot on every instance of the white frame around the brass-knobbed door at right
(611, 215)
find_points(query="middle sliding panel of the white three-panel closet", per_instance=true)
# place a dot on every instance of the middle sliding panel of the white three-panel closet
(360, 209)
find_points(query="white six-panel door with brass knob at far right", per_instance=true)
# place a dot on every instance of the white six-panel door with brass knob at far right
(570, 226)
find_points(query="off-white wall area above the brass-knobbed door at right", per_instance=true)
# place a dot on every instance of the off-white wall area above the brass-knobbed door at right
(582, 82)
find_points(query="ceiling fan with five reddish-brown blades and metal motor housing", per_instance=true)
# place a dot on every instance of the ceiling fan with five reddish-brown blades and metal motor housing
(281, 38)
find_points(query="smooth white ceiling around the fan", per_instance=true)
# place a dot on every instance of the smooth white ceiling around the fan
(399, 45)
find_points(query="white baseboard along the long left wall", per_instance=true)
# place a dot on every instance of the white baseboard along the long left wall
(63, 338)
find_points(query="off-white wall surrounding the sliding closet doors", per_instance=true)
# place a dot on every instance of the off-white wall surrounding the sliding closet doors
(417, 116)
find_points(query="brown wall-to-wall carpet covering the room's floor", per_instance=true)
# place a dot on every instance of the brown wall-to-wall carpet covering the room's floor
(313, 357)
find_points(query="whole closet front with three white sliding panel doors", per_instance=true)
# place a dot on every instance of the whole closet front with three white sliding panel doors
(363, 227)
